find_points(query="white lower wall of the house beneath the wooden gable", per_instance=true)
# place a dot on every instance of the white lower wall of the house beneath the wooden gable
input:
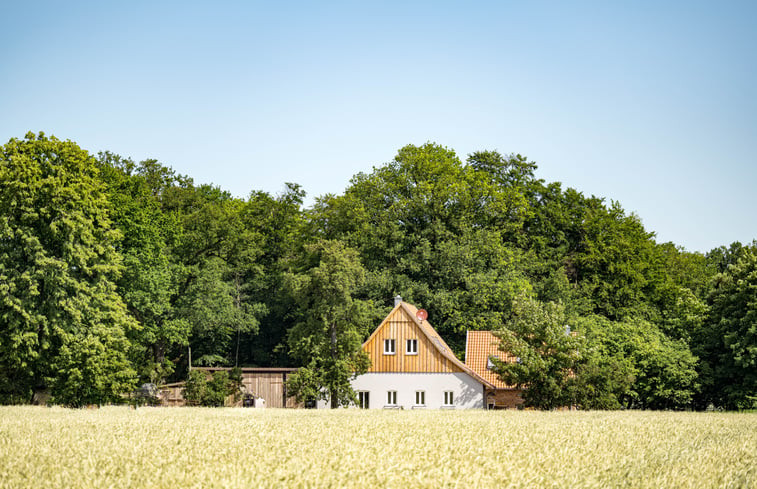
(468, 392)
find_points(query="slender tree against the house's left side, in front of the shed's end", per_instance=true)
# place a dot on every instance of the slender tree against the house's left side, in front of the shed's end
(328, 336)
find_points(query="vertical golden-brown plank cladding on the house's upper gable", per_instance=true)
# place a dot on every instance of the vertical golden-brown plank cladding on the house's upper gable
(400, 327)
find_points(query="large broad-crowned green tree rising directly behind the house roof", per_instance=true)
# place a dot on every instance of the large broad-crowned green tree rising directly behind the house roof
(434, 229)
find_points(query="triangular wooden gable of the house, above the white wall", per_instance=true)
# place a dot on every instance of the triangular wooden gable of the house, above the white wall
(433, 354)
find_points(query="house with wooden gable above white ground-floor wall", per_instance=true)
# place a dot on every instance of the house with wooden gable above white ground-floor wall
(413, 368)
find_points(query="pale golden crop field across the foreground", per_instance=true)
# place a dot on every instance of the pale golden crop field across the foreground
(237, 448)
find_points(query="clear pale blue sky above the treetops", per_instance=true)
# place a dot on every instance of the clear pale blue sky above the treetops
(652, 104)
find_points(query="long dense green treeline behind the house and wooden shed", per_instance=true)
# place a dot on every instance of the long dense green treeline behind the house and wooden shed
(112, 271)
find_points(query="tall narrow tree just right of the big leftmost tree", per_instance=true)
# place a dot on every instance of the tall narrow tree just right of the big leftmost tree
(152, 279)
